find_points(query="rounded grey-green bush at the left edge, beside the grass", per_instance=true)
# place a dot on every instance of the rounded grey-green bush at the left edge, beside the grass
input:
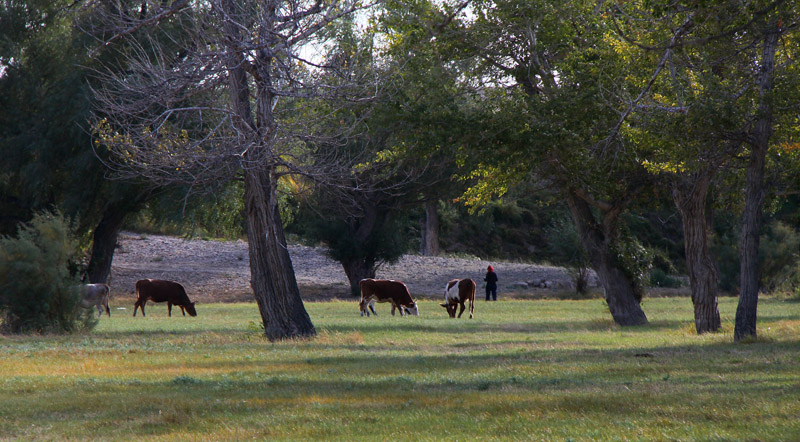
(38, 286)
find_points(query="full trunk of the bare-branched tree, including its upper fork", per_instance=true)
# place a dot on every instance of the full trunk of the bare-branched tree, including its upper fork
(271, 273)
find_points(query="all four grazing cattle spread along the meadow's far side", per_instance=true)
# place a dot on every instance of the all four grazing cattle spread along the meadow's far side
(457, 292)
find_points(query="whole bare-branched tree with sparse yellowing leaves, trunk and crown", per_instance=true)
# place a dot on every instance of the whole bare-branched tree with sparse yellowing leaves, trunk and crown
(225, 96)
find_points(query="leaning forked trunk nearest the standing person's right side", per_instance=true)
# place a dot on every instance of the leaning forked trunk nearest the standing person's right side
(620, 292)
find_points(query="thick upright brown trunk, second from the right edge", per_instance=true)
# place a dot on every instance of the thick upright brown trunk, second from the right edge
(690, 201)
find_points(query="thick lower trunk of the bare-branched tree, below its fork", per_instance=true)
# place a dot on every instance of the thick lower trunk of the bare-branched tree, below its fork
(271, 273)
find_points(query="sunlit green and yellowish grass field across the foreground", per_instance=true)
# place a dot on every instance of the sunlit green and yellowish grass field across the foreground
(521, 370)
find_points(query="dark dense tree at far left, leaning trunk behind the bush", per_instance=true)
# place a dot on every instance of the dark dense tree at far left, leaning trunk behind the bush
(45, 107)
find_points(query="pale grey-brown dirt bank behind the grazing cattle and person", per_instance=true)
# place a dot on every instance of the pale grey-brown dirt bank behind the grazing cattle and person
(218, 271)
